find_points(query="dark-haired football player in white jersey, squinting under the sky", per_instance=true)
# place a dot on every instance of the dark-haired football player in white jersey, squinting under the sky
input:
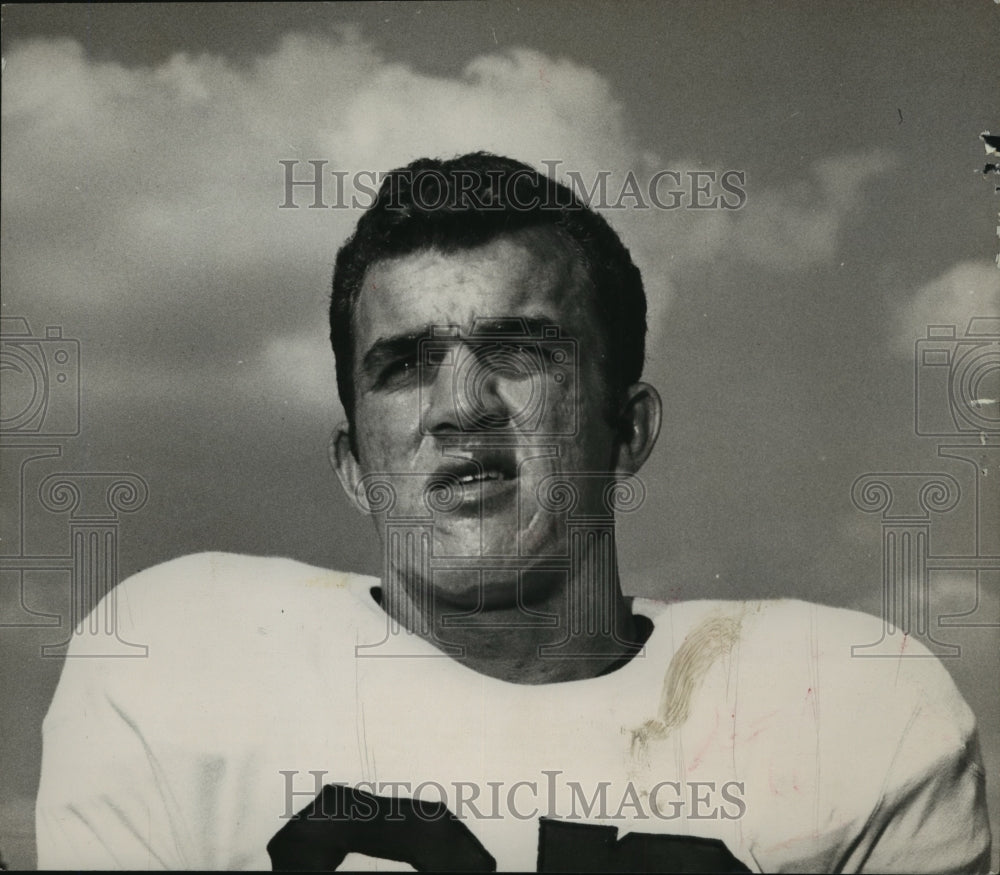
(493, 700)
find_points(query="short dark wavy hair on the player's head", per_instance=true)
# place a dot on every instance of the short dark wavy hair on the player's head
(467, 202)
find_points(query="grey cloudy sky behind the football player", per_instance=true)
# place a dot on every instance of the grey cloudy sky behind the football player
(142, 187)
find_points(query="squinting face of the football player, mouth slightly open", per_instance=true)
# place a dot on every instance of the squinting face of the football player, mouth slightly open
(480, 408)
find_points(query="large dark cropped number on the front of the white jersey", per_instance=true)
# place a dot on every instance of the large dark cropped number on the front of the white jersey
(427, 836)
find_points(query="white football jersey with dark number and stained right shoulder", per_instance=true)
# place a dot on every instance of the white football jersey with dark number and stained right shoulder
(279, 721)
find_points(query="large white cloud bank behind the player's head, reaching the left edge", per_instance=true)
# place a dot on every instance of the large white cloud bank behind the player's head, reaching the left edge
(142, 202)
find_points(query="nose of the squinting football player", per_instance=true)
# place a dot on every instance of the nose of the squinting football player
(466, 393)
